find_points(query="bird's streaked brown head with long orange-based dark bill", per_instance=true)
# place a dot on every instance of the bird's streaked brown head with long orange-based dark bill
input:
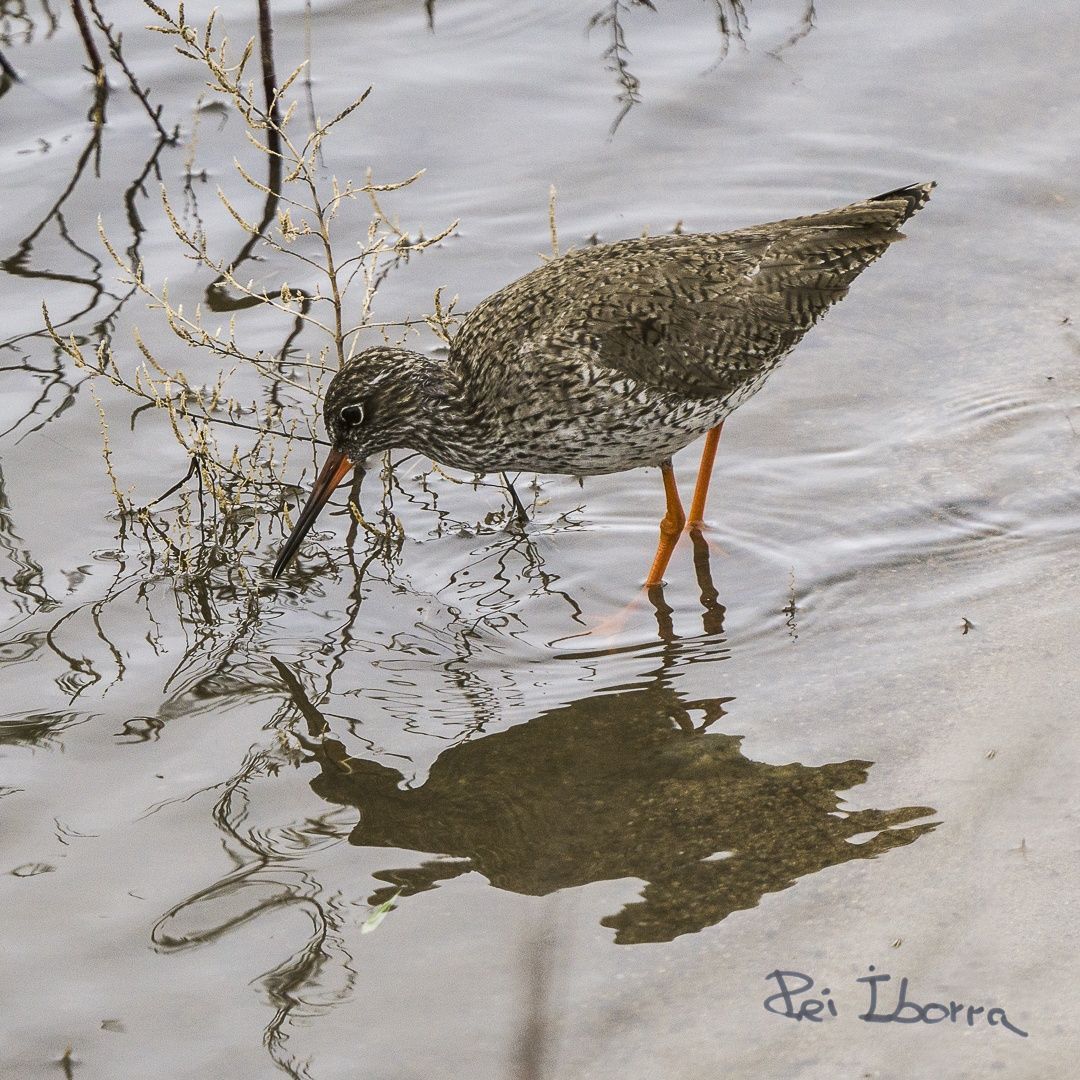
(381, 400)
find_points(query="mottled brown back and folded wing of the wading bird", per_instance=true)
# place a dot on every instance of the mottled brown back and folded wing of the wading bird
(699, 315)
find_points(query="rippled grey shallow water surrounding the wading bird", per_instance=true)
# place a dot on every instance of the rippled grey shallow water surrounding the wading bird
(603, 846)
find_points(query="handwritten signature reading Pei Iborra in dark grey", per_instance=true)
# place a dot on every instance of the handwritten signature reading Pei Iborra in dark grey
(793, 1001)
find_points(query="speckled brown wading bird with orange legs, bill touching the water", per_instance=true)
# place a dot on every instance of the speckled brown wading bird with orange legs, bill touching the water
(611, 358)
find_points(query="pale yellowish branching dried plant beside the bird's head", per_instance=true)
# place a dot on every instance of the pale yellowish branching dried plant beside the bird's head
(211, 517)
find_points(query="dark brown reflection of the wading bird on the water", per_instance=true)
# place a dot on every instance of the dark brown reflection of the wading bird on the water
(628, 784)
